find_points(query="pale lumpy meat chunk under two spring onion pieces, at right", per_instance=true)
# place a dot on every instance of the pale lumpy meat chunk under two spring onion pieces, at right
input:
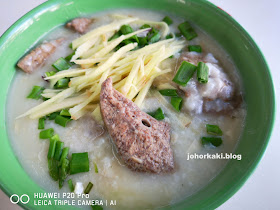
(218, 95)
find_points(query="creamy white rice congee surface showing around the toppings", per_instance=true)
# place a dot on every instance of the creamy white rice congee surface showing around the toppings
(114, 181)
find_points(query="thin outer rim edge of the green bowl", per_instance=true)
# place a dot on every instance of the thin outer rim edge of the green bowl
(250, 171)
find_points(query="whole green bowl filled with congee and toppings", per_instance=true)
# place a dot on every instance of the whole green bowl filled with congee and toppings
(130, 105)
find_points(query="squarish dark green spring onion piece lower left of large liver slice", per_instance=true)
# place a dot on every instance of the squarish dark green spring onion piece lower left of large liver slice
(79, 163)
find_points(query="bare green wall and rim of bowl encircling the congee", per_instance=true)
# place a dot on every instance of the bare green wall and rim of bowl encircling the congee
(258, 87)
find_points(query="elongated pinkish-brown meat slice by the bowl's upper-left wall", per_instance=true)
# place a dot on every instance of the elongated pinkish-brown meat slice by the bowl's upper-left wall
(38, 56)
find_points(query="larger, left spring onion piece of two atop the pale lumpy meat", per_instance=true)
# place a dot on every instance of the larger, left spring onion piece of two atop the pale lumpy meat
(184, 73)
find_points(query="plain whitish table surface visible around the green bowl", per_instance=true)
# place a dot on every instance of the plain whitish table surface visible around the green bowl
(261, 20)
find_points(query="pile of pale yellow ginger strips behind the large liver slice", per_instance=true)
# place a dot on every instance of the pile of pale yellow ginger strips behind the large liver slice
(132, 70)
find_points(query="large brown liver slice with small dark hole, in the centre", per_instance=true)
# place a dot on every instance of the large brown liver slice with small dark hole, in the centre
(142, 141)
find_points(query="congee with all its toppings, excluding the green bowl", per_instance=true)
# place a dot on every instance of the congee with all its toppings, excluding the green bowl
(115, 106)
